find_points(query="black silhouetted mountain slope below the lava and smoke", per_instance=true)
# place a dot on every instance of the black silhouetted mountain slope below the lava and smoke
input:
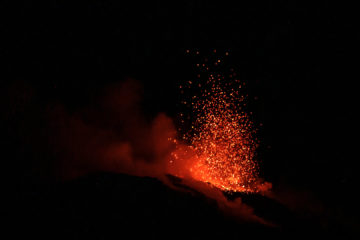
(109, 206)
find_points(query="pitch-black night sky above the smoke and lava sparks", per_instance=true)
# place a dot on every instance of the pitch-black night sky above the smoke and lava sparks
(299, 60)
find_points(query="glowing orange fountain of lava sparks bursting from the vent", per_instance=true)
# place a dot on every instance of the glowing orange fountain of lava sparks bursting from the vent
(221, 143)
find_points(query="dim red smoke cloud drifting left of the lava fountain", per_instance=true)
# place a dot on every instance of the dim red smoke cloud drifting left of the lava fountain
(113, 136)
